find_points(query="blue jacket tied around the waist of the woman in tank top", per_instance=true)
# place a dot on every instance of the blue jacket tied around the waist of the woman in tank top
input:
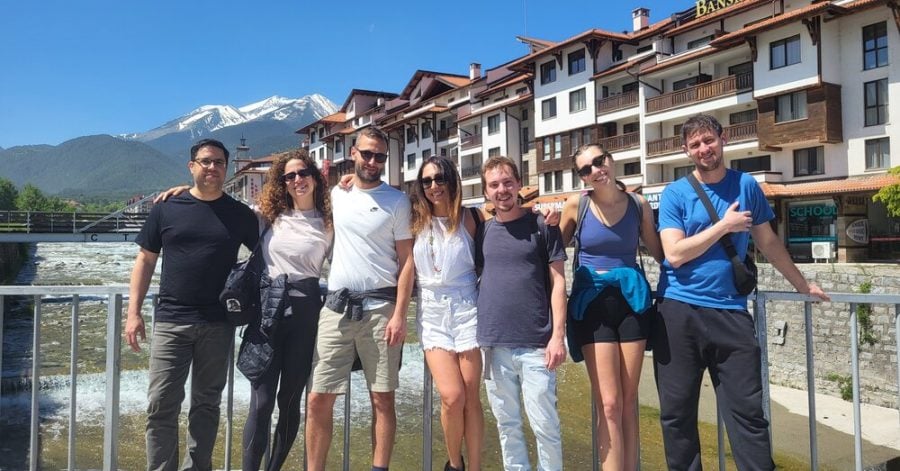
(588, 284)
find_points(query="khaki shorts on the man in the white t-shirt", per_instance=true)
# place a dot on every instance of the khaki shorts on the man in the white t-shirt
(340, 340)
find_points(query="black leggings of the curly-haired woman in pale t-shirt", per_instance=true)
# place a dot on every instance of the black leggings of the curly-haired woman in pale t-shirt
(295, 342)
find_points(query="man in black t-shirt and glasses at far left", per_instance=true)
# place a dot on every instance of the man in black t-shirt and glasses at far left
(199, 234)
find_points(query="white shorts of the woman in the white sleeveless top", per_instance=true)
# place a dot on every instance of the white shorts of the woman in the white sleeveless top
(446, 318)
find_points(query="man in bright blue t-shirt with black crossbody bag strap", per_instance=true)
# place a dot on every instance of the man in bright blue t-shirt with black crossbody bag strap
(704, 323)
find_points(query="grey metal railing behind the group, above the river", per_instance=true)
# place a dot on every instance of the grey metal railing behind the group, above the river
(115, 294)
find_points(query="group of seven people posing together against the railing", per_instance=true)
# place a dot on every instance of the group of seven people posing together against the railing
(491, 304)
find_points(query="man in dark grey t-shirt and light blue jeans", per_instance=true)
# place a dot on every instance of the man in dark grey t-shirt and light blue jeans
(521, 318)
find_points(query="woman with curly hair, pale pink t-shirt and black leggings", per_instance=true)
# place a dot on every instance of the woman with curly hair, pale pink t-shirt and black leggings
(296, 207)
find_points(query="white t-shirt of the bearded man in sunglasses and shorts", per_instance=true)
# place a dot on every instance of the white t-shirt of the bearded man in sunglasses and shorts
(367, 225)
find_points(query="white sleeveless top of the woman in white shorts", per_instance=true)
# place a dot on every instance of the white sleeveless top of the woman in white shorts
(444, 259)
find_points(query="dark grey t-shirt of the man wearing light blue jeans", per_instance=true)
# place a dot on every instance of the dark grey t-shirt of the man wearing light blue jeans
(513, 298)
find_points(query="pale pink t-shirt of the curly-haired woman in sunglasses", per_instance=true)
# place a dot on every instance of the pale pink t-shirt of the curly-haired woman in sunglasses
(297, 244)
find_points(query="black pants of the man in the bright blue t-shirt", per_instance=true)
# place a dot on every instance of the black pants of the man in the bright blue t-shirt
(687, 340)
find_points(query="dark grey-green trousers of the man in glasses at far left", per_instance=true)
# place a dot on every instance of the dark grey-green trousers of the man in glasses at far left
(176, 349)
